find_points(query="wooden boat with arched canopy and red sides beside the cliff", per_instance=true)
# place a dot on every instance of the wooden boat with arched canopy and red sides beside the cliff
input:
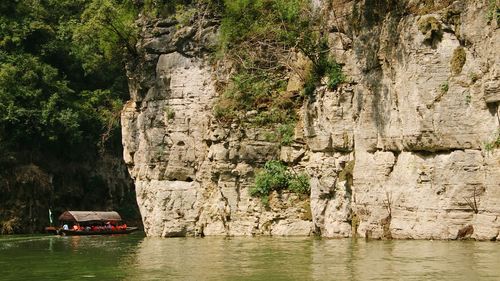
(91, 223)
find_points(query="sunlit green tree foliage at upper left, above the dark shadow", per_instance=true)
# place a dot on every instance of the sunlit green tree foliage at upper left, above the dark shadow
(62, 79)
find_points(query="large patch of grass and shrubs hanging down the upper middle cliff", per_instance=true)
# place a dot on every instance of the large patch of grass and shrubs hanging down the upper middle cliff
(259, 38)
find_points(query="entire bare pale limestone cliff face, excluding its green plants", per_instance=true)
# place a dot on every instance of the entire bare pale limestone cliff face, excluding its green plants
(398, 152)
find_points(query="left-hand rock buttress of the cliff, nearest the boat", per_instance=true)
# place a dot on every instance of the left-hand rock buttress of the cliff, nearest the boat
(192, 174)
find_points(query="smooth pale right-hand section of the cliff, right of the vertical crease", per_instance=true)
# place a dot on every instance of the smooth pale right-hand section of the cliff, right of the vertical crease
(421, 168)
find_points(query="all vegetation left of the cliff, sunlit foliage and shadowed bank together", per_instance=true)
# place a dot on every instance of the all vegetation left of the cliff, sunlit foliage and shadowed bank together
(62, 86)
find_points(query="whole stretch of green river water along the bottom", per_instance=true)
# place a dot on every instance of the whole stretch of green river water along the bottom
(135, 257)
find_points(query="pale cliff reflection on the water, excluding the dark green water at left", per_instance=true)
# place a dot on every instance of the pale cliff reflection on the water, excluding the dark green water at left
(314, 259)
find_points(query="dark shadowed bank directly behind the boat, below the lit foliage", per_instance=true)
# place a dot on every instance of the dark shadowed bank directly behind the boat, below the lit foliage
(31, 184)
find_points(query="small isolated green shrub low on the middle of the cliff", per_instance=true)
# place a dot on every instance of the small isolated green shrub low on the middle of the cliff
(275, 177)
